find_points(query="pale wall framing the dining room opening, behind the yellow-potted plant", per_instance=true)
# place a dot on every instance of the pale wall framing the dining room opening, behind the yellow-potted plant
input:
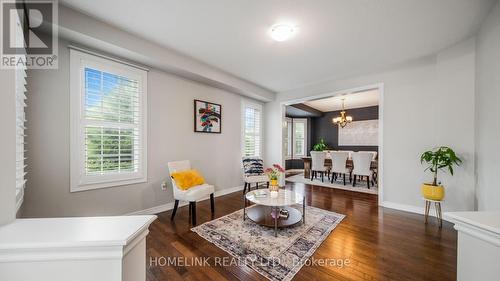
(427, 103)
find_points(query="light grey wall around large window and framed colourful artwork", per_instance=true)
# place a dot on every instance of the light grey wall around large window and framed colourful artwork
(171, 137)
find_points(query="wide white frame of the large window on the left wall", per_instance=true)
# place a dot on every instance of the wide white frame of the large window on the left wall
(79, 181)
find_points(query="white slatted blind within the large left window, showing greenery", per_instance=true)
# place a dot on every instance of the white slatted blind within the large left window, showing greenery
(111, 123)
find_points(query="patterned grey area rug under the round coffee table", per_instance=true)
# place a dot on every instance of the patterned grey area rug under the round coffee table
(276, 258)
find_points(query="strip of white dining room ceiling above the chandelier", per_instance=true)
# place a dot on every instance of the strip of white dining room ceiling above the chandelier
(354, 100)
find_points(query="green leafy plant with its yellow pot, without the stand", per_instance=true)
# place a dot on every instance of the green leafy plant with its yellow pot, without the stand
(444, 159)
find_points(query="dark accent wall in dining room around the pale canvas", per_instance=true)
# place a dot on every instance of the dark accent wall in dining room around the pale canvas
(322, 127)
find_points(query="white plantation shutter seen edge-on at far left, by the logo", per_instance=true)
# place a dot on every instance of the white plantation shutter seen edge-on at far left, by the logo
(20, 92)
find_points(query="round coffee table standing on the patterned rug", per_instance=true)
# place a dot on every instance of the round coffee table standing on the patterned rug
(267, 209)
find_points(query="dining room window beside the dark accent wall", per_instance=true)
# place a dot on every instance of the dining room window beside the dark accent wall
(296, 140)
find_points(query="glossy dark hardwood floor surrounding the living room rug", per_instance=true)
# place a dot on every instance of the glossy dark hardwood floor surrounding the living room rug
(381, 244)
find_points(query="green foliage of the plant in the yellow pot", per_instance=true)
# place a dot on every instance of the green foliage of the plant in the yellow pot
(442, 158)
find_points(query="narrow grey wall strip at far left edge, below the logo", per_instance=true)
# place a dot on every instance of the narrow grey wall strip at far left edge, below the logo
(7, 147)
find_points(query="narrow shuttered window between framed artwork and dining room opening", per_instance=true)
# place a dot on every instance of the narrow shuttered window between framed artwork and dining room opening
(252, 130)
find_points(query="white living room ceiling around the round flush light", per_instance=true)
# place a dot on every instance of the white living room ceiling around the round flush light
(335, 38)
